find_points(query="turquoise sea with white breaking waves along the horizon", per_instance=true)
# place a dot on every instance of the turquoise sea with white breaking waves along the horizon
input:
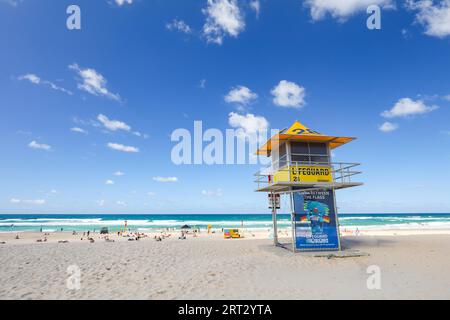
(50, 223)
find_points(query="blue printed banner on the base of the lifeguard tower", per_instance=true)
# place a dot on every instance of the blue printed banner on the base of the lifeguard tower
(315, 221)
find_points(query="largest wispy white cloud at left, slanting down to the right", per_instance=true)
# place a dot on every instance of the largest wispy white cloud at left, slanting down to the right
(93, 82)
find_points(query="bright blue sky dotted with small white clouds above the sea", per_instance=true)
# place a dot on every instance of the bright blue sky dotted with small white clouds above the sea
(79, 106)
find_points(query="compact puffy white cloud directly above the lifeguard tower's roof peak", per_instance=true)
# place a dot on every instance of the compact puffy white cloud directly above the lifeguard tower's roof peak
(288, 94)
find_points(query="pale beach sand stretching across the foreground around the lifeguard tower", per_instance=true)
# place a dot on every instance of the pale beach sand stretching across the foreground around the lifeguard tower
(210, 267)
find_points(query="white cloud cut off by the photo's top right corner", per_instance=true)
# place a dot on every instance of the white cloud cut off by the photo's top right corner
(434, 17)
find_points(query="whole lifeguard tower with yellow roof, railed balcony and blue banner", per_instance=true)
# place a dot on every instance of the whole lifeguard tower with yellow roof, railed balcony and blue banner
(301, 167)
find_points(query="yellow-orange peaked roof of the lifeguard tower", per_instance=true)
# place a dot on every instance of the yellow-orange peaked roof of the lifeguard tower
(299, 132)
